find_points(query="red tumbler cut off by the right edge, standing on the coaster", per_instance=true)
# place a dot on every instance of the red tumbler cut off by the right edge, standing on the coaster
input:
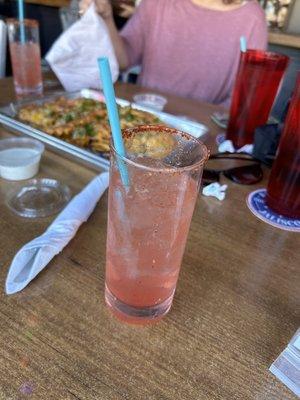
(283, 192)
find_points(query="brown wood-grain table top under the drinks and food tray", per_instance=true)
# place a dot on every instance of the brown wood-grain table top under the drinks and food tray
(235, 309)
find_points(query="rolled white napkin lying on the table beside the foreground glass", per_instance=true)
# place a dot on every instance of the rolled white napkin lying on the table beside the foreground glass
(35, 255)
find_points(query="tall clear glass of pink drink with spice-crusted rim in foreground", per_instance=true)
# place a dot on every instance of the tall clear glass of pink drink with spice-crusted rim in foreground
(148, 222)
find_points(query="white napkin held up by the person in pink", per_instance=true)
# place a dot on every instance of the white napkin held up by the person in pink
(73, 57)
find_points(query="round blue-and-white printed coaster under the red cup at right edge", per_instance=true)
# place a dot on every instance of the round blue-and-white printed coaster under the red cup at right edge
(256, 202)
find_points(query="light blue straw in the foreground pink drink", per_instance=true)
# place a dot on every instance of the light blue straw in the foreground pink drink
(113, 116)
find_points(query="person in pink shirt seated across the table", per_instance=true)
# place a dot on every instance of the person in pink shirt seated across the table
(187, 47)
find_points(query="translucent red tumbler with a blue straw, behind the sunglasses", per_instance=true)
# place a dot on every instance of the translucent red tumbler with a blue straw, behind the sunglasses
(257, 82)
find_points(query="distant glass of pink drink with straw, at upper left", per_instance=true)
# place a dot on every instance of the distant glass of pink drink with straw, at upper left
(25, 55)
